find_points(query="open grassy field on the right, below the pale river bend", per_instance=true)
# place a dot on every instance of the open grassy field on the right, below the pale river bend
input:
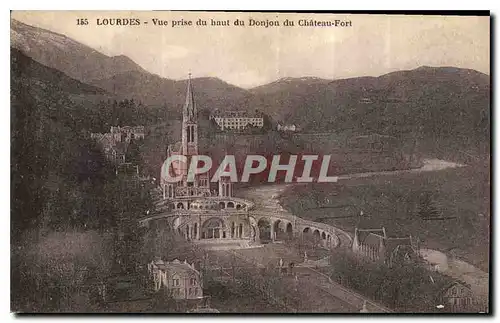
(462, 195)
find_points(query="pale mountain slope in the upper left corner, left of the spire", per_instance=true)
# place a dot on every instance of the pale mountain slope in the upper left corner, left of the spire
(67, 55)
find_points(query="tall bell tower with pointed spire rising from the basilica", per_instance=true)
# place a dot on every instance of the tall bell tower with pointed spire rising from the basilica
(189, 123)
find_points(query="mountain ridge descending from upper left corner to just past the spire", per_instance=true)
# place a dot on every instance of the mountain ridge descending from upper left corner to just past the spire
(119, 75)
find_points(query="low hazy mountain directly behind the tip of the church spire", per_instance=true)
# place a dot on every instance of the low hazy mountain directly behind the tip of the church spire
(211, 93)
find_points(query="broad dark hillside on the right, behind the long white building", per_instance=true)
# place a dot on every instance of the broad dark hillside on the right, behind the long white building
(432, 104)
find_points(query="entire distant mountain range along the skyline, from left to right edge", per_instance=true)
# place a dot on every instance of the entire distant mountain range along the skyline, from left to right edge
(437, 106)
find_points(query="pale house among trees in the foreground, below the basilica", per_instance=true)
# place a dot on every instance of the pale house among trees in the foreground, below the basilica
(181, 279)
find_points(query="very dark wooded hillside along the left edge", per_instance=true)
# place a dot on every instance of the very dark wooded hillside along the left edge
(50, 153)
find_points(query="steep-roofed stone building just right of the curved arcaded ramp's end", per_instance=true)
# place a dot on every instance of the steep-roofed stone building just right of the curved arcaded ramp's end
(375, 245)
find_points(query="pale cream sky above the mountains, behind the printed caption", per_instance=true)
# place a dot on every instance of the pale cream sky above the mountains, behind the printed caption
(249, 56)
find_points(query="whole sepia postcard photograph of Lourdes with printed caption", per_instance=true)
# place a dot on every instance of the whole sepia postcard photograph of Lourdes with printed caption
(250, 162)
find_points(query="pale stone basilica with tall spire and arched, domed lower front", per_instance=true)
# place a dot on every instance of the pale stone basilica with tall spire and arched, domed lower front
(197, 211)
